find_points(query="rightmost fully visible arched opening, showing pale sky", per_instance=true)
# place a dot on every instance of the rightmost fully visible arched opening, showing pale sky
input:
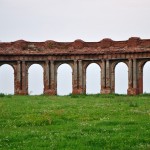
(121, 78)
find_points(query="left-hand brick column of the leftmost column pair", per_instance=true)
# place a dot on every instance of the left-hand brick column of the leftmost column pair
(18, 78)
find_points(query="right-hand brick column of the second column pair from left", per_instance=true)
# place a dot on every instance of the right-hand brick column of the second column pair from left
(53, 76)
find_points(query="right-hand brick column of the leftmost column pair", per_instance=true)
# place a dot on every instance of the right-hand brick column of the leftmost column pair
(24, 79)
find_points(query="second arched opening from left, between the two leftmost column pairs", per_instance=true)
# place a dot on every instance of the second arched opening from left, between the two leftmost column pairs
(35, 80)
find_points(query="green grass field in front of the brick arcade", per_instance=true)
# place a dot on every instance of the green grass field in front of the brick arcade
(94, 122)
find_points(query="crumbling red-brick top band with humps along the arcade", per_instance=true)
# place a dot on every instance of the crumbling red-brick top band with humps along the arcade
(78, 47)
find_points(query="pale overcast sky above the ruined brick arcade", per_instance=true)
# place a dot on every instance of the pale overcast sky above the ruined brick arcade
(67, 20)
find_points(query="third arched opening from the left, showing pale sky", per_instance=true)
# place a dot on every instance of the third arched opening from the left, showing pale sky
(64, 79)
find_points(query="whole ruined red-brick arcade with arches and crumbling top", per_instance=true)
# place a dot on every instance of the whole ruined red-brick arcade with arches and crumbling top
(107, 53)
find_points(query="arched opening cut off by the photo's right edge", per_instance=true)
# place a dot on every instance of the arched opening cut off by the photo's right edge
(146, 78)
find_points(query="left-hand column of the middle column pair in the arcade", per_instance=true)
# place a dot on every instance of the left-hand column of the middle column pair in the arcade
(75, 77)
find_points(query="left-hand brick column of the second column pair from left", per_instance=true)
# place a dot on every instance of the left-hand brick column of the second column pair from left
(46, 77)
